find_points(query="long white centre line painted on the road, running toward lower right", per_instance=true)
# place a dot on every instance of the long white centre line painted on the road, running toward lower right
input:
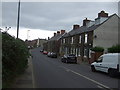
(86, 78)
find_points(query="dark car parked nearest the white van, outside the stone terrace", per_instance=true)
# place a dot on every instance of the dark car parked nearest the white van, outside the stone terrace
(69, 58)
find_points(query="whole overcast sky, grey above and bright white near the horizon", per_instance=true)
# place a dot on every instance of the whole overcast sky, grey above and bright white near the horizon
(42, 19)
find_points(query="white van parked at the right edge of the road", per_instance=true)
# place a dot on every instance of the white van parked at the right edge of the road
(109, 63)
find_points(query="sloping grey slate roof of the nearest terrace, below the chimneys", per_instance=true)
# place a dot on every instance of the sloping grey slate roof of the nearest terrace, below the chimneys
(84, 29)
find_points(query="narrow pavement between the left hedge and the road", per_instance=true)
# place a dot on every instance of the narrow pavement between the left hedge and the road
(26, 79)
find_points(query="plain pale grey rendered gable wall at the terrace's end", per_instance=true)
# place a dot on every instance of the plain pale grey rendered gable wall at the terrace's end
(107, 33)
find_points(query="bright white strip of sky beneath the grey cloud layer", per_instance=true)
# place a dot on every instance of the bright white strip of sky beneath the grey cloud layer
(30, 34)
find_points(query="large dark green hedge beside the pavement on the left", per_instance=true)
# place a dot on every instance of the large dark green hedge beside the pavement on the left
(14, 58)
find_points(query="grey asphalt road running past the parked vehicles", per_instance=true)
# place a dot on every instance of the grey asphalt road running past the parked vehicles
(52, 73)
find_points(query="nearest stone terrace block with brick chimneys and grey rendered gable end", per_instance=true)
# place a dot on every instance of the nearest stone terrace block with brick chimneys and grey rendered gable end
(103, 31)
